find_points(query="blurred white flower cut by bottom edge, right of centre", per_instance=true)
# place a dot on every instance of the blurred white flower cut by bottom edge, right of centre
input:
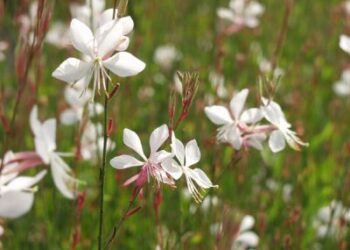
(245, 238)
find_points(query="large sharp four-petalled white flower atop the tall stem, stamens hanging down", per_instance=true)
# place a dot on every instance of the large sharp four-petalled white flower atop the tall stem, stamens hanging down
(98, 50)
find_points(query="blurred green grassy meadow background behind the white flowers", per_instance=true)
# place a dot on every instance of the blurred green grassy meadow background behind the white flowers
(255, 185)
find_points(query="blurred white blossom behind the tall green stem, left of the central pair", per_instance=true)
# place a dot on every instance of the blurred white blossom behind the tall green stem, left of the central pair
(92, 141)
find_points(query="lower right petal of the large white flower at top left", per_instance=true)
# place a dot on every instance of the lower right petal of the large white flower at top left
(124, 64)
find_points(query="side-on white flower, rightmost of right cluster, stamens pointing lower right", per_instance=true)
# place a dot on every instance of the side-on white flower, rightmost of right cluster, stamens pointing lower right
(278, 138)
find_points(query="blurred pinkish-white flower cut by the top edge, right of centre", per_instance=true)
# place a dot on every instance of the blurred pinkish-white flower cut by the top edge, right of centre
(242, 13)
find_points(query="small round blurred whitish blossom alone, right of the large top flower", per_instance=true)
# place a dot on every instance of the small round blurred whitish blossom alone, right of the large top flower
(166, 55)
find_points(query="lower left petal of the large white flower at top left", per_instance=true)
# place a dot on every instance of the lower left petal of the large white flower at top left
(72, 70)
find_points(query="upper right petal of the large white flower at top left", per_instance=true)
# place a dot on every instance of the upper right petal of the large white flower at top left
(108, 37)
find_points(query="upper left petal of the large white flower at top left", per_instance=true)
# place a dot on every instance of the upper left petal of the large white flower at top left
(81, 37)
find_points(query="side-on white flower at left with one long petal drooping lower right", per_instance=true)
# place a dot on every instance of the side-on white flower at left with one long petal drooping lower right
(45, 146)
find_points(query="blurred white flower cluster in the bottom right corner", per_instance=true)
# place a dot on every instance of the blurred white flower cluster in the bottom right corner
(329, 221)
